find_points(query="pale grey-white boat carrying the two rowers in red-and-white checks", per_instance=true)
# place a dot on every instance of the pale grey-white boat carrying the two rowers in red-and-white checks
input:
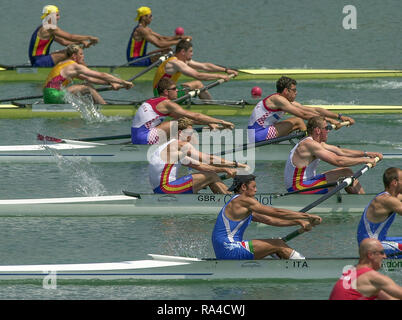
(97, 152)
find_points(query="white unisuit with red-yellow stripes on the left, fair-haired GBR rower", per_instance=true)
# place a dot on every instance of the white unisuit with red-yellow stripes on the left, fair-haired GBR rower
(163, 176)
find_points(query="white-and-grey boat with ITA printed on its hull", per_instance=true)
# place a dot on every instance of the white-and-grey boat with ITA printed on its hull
(162, 267)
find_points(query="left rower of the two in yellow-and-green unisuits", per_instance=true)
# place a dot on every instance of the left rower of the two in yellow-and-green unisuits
(74, 67)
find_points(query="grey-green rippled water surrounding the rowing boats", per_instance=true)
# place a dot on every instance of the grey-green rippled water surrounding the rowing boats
(265, 34)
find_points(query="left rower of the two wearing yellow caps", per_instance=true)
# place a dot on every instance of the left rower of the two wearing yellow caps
(45, 34)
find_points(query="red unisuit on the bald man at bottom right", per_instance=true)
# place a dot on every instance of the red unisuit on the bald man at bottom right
(343, 287)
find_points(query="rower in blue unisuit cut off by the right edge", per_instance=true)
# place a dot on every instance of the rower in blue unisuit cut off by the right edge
(380, 213)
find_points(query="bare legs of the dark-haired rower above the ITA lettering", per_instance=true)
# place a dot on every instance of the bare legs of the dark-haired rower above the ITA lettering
(265, 247)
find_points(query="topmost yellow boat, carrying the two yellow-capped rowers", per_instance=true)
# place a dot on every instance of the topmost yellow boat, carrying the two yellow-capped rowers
(28, 73)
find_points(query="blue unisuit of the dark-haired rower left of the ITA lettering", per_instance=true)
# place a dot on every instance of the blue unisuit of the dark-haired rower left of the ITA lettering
(227, 237)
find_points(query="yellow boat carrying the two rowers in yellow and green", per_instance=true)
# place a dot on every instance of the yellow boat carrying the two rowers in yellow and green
(29, 110)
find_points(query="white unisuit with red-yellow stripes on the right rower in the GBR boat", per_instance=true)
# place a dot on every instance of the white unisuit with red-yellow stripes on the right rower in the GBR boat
(305, 177)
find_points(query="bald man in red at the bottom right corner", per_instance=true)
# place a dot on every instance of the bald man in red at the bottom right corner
(363, 281)
